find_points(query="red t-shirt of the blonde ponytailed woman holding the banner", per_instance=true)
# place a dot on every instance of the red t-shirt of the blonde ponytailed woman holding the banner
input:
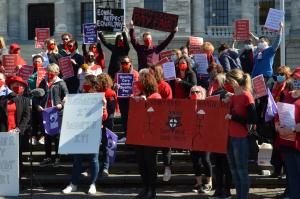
(238, 106)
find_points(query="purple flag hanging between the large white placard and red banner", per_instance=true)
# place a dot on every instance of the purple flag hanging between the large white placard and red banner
(112, 140)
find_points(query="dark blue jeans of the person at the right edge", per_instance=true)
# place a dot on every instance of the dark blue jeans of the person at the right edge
(292, 165)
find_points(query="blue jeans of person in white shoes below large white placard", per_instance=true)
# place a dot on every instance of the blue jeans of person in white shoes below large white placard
(94, 167)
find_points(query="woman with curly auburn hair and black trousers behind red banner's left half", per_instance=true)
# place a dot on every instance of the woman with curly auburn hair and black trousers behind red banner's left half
(146, 155)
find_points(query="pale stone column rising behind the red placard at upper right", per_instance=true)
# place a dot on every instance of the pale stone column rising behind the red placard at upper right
(247, 10)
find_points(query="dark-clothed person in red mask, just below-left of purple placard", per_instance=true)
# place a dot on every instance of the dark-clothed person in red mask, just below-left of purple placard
(77, 61)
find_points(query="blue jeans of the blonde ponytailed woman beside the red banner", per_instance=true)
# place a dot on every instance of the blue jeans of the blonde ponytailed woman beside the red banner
(238, 150)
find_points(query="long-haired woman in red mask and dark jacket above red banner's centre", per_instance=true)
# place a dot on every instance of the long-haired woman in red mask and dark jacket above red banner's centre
(185, 80)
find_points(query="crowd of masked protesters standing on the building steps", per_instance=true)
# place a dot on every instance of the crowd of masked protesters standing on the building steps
(228, 76)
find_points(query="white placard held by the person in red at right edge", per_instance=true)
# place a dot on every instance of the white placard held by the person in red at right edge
(286, 114)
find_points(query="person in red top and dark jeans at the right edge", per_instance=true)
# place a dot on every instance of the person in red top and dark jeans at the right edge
(288, 139)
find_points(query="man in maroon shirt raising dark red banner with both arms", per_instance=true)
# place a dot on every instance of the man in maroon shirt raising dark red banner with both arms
(148, 53)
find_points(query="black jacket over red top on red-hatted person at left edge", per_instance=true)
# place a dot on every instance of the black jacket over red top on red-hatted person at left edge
(23, 112)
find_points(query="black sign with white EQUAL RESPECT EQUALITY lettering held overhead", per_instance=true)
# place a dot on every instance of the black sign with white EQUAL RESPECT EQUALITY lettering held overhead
(111, 20)
